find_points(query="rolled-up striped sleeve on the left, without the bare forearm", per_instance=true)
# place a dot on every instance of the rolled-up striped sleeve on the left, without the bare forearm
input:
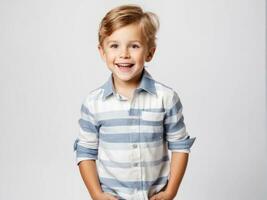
(86, 144)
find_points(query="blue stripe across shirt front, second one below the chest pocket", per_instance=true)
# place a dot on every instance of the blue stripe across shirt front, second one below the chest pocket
(131, 137)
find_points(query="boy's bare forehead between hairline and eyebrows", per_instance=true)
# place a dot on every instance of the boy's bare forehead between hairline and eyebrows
(127, 33)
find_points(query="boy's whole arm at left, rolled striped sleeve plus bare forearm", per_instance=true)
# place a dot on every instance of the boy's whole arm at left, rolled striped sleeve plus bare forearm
(86, 147)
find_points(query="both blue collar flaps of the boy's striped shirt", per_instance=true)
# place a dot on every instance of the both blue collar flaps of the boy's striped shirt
(147, 83)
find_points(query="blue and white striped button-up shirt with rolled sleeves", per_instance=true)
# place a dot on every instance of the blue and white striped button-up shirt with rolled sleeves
(130, 139)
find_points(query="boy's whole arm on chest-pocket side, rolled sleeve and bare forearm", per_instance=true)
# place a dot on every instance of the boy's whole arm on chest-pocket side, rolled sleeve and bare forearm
(179, 142)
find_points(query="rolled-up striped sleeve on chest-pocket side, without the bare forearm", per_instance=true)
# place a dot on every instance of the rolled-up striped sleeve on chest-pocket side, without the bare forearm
(174, 127)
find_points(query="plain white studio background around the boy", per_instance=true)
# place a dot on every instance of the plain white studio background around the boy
(212, 52)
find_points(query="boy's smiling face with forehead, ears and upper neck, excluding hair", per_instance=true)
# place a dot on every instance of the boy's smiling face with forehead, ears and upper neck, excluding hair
(125, 53)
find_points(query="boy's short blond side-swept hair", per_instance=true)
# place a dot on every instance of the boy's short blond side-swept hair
(129, 14)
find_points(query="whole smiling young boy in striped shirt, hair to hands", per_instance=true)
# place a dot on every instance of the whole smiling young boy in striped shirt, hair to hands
(128, 125)
